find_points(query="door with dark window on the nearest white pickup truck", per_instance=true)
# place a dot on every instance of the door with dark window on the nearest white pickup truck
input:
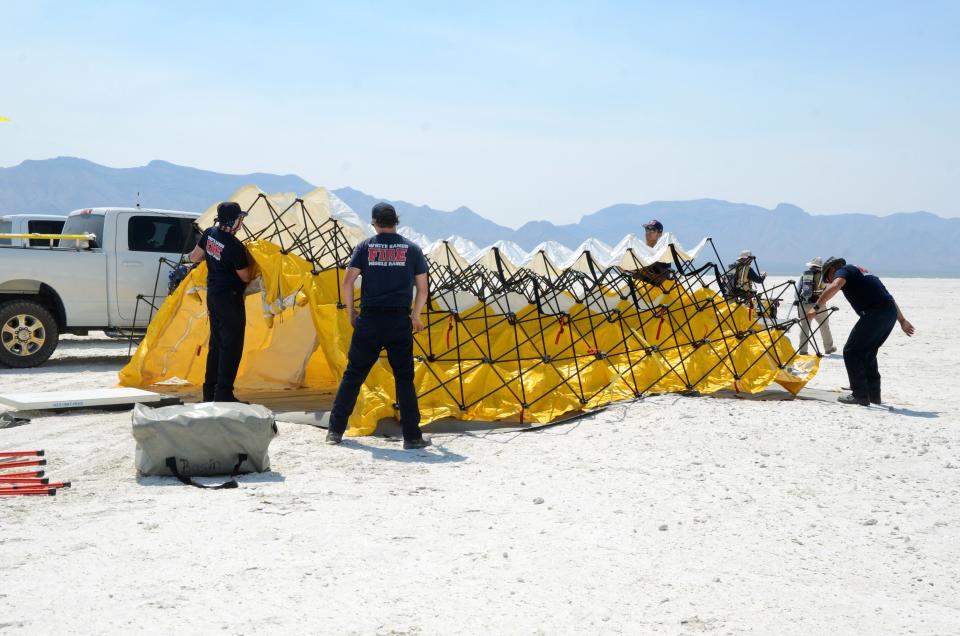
(142, 240)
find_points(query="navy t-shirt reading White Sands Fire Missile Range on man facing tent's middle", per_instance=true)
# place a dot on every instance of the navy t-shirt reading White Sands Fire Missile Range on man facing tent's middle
(388, 263)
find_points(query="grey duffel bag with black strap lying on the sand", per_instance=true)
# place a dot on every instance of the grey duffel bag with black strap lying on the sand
(209, 438)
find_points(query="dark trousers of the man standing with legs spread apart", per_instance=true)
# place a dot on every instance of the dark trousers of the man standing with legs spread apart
(380, 328)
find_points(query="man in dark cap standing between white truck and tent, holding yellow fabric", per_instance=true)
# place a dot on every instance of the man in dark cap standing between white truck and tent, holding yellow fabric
(228, 272)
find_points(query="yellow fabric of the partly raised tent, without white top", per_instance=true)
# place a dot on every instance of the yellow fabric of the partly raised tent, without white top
(481, 363)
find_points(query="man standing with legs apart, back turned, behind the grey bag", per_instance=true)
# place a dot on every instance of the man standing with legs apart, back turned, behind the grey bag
(391, 266)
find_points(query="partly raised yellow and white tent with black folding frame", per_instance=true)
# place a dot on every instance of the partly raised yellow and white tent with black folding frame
(527, 341)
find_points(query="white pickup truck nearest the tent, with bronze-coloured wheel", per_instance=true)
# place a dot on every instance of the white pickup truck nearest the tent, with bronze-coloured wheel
(80, 286)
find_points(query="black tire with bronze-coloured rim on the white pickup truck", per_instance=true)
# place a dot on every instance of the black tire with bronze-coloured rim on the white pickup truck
(28, 334)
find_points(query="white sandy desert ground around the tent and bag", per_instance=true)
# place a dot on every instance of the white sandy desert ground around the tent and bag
(672, 515)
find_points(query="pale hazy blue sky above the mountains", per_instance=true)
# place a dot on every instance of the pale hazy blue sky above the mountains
(518, 110)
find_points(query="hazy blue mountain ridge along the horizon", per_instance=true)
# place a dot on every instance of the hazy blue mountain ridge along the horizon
(783, 238)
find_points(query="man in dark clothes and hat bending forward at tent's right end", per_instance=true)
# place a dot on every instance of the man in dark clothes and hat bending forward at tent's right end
(878, 313)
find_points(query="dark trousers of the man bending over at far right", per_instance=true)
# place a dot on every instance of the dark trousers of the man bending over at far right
(860, 352)
